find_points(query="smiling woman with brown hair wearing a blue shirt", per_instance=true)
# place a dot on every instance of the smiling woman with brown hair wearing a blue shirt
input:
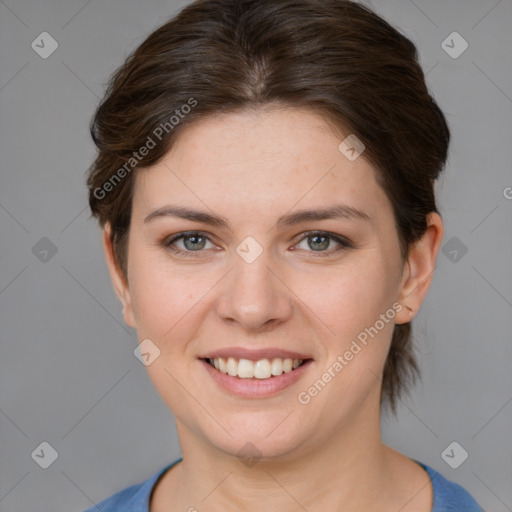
(264, 180)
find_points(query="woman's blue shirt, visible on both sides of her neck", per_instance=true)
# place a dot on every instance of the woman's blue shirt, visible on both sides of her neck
(448, 496)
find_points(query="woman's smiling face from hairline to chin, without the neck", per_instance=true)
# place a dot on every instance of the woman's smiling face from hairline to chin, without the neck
(252, 280)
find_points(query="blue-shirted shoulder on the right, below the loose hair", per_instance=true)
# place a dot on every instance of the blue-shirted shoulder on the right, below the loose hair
(449, 496)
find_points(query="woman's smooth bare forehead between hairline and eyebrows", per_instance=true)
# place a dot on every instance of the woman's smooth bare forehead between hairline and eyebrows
(259, 162)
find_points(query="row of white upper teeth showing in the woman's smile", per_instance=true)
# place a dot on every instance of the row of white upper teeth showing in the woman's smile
(261, 369)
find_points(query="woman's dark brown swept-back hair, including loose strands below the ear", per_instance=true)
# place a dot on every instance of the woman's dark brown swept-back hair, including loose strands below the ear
(335, 57)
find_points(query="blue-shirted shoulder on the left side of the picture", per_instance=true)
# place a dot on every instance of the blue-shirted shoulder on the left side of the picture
(131, 499)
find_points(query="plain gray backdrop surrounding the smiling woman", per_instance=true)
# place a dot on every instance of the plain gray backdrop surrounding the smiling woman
(68, 375)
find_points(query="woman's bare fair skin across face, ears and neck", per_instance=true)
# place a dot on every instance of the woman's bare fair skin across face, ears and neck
(251, 168)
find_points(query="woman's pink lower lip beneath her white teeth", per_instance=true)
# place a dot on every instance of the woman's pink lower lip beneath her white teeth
(256, 388)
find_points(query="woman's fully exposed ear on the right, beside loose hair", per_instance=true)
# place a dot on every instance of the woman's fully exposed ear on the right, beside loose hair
(419, 269)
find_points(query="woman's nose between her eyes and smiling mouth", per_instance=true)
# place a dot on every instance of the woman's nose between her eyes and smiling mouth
(254, 295)
